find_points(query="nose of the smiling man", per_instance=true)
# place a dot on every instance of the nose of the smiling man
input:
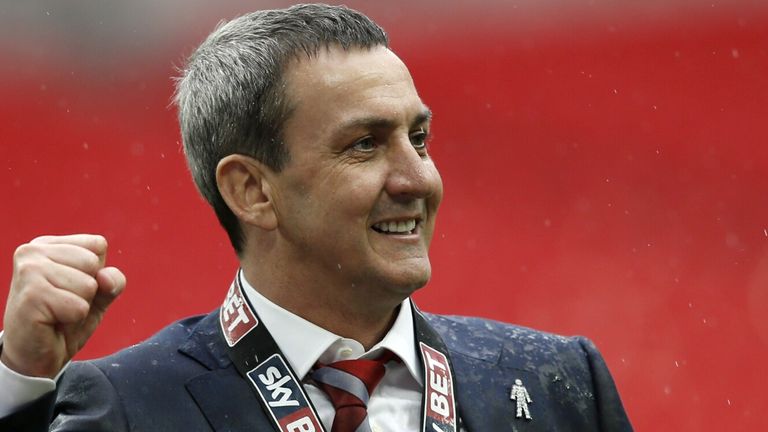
(412, 175)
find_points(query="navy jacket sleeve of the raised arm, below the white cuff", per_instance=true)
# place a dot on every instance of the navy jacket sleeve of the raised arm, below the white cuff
(84, 400)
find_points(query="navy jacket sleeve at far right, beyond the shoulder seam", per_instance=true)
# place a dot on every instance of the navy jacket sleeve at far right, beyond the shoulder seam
(610, 410)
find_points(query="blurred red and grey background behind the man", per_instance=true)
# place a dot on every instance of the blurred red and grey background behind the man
(605, 166)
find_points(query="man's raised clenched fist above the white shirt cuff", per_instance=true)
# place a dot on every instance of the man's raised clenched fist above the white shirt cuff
(59, 293)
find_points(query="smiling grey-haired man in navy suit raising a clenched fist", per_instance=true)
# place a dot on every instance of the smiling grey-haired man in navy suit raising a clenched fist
(308, 138)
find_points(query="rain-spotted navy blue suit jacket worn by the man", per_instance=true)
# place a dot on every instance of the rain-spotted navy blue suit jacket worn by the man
(182, 380)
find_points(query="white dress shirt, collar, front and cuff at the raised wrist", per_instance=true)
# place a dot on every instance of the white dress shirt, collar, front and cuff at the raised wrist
(394, 406)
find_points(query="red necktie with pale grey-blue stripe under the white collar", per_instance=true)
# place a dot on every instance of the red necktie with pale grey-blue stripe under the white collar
(349, 384)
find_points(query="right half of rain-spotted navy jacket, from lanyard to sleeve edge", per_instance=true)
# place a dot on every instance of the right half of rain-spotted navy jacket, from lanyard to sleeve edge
(566, 376)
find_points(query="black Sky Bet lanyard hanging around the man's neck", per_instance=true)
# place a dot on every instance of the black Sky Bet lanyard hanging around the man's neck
(258, 359)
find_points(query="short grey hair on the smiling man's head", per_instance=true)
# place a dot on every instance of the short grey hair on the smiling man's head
(231, 95)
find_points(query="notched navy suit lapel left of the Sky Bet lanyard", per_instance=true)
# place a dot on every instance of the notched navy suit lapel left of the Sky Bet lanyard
(224, 397)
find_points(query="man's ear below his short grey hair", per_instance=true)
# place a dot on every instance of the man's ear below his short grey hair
(242, 183)
